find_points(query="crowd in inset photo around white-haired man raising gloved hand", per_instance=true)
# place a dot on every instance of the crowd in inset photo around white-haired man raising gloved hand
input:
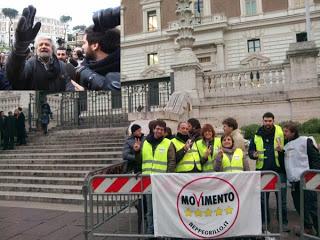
(95, 66)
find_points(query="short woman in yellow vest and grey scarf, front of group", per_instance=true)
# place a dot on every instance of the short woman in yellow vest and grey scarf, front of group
(229, 158)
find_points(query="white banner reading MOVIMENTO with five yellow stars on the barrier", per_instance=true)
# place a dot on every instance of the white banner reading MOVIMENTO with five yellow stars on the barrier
(206, 205)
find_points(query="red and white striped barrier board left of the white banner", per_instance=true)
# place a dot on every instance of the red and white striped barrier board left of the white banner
(121, 184)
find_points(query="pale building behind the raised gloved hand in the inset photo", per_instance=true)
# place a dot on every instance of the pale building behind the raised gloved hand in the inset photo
(50, 27)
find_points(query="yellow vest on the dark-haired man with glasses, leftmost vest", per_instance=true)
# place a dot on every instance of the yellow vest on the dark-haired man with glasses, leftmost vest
(157, 162)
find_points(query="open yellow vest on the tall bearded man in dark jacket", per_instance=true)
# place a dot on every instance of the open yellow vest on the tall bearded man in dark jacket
(260, 149)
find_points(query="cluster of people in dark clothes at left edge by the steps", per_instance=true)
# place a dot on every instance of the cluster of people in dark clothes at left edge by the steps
(11, 126)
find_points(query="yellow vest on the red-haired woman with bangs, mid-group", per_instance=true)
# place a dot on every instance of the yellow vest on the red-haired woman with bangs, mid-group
(202, 147)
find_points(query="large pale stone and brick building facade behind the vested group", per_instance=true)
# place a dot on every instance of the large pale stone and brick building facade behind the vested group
(241, 47)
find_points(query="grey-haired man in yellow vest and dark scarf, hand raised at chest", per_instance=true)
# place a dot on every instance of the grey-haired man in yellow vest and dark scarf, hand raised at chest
(187, 155)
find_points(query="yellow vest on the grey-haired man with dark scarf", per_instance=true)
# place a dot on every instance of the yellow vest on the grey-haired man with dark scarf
(190, 159)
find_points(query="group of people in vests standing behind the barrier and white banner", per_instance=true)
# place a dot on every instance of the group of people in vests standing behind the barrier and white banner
(198, 149)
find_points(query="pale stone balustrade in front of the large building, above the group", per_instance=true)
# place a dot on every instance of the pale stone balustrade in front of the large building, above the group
(270, 77)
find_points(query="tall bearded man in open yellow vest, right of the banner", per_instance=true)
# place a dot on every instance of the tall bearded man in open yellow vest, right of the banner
(264, 148)
